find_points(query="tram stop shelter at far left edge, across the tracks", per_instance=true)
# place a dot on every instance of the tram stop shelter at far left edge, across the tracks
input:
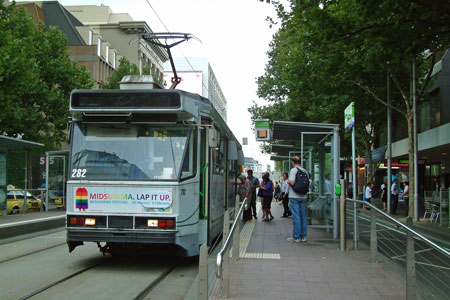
(6, 144)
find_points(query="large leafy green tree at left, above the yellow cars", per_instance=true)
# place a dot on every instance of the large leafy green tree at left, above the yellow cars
(36, 78)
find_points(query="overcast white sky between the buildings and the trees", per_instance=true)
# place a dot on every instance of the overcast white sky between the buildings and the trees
(235, 38)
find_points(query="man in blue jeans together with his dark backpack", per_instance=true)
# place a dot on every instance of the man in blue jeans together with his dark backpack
(298, 188)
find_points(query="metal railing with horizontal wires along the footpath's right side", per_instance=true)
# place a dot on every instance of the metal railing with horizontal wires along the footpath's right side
(426, 264)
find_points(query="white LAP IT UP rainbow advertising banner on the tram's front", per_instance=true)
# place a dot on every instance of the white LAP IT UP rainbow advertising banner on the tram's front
(115, 199)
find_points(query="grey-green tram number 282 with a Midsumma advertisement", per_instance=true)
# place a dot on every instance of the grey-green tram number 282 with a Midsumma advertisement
(148, 167)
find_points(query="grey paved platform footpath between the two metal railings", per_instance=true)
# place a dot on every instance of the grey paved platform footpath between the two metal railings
(272, 268)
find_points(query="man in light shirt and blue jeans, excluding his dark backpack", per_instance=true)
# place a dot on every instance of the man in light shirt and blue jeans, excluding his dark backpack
(297, 203)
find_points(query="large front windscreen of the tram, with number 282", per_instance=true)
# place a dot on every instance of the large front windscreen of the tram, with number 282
(131, 152)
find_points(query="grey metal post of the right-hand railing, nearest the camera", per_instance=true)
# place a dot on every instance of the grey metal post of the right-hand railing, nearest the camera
(410, 264)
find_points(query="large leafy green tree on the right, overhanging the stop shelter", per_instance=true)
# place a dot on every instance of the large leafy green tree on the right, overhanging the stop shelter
(328, 53)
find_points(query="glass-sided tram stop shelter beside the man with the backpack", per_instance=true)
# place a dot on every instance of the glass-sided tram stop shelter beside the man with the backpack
(320, 148)
